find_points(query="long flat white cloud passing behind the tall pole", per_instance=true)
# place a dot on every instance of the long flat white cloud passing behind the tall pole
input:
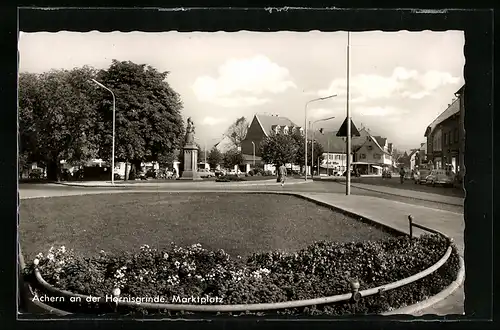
(402, 83)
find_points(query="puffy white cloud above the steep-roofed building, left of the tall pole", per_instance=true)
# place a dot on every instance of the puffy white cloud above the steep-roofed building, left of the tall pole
(243, 82)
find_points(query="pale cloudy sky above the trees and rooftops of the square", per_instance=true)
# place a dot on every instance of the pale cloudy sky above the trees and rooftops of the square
(399, 82)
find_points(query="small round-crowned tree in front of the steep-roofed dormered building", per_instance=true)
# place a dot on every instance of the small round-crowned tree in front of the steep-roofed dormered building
(279, 149)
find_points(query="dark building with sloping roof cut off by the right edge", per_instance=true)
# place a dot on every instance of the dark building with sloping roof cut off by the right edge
(446, 137)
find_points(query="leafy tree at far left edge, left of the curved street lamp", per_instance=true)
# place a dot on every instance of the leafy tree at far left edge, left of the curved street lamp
(58, 117)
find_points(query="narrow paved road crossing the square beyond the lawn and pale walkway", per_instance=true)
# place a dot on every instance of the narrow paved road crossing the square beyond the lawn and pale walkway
(317, 186)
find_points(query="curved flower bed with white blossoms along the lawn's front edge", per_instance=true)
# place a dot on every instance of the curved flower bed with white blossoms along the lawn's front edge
(322, 269)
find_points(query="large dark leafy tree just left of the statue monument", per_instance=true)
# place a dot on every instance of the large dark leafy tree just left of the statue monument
(148, 113)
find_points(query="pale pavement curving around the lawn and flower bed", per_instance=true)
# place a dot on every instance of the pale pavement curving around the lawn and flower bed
(385, 211)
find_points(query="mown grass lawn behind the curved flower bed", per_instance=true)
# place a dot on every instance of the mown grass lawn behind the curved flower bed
(236, 222)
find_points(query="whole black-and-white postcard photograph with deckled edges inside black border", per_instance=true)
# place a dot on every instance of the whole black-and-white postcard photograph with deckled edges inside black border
(195, 174)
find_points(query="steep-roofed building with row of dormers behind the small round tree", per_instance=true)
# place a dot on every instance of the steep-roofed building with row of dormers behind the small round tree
(262, 126)
